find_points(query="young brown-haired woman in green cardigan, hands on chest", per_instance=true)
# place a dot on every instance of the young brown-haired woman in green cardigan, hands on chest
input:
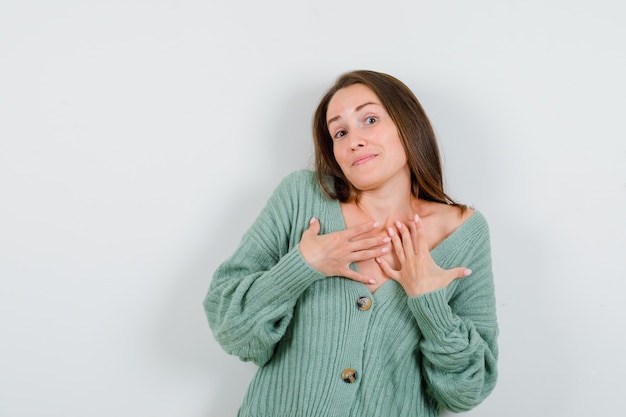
(362, 289)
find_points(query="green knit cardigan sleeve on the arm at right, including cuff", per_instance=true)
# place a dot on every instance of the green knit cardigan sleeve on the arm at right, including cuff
(459, 328)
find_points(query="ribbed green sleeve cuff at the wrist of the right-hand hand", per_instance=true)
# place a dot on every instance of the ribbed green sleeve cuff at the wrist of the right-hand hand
(433, 314)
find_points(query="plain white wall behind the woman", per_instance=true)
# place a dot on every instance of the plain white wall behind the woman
(139, 139)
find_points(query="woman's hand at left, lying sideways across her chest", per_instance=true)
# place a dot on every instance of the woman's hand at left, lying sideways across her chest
(333, 253)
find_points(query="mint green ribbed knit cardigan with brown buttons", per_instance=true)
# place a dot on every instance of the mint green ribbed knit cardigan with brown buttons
(410, 355)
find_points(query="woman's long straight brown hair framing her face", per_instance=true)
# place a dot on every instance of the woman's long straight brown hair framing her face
(414, 128)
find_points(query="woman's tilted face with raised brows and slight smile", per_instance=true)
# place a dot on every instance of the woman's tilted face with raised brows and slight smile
(366, 143)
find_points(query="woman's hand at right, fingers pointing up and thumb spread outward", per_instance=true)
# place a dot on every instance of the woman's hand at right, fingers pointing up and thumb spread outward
(418, 273)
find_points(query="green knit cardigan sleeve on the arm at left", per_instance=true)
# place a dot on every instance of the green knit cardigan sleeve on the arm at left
(252, 295)
